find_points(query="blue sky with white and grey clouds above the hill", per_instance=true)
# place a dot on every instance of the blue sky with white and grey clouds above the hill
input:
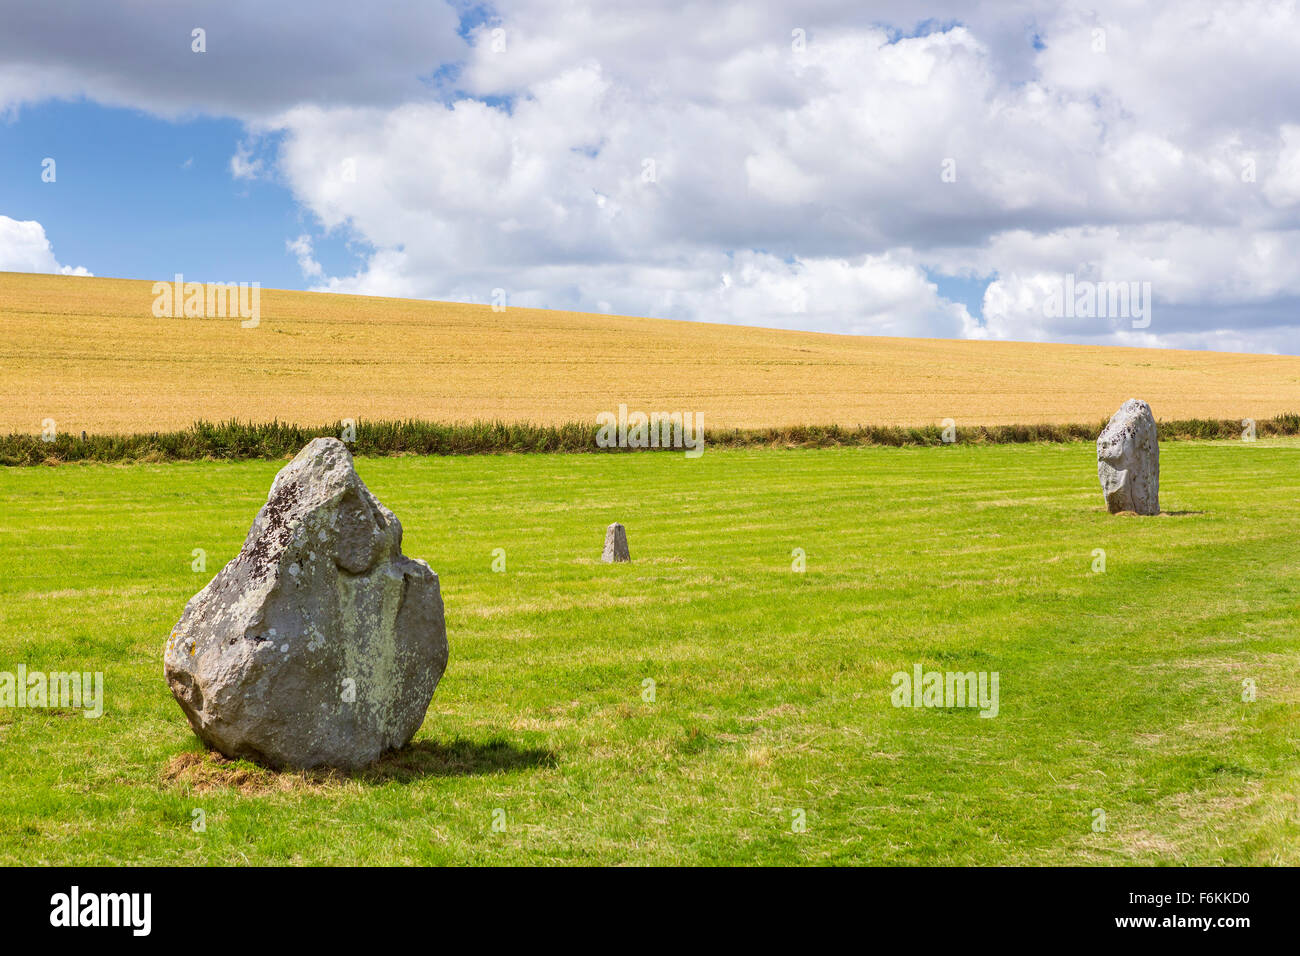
(900, 168)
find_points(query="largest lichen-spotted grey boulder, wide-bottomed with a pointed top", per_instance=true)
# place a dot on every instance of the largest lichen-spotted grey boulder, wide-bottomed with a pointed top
(319, 644)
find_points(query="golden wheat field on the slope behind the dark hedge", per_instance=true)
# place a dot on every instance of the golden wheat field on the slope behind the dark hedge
(90, 354)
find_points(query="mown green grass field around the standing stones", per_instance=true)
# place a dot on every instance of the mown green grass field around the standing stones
(1120, 691)
